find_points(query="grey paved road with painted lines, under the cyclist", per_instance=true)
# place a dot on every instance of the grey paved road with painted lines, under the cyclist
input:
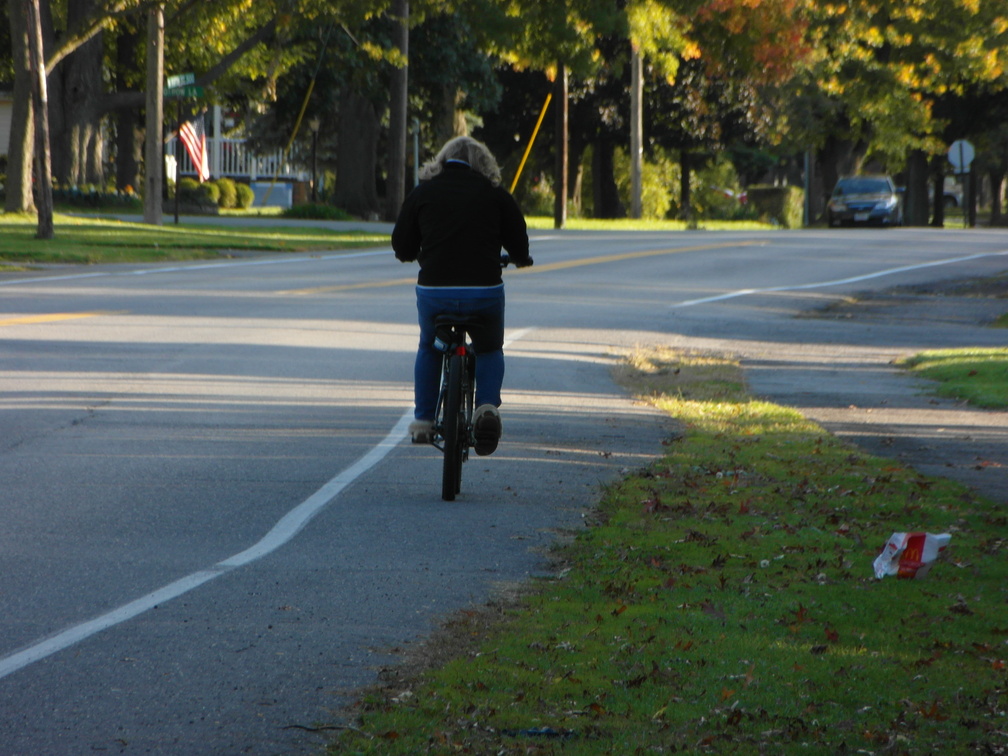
(213, 530)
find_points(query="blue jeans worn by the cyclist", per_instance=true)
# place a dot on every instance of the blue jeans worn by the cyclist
(488, 343)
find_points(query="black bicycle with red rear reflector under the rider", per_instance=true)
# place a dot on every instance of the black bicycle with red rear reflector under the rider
(454, 431)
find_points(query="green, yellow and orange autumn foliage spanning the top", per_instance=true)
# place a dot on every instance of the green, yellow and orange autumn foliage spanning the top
(852, 80)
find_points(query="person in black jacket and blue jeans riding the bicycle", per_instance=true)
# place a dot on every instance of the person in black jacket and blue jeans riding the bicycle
(455, 224)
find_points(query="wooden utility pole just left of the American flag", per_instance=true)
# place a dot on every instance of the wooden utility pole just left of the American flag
(154, 150)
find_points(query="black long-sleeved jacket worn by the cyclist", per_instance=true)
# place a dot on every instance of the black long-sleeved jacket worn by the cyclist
(455, 225)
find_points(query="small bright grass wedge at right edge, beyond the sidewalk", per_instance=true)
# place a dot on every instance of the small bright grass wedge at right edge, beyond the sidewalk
(978, 375)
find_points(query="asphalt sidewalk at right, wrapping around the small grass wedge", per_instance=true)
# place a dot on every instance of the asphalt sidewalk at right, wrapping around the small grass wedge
(859, 396)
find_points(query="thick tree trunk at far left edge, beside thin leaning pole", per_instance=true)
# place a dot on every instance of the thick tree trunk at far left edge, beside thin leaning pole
(23, 140)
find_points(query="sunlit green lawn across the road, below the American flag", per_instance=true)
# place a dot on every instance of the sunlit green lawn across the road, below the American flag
(92, 240)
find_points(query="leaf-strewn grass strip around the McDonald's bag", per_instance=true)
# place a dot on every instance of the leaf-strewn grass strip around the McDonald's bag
(723, 600)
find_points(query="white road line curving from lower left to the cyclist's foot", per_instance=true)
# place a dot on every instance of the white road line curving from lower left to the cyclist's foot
(286, 530)
